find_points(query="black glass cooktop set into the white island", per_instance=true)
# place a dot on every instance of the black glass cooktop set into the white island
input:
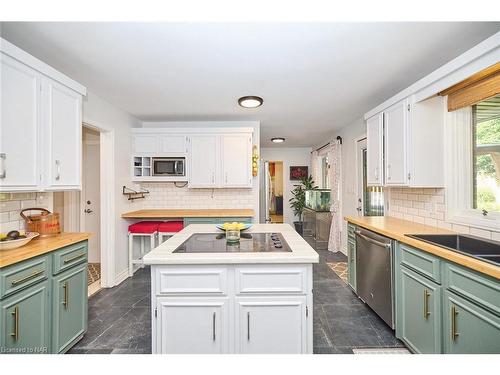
(249, 243)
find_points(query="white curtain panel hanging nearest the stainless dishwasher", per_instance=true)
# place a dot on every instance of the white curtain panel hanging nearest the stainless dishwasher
(334, 159)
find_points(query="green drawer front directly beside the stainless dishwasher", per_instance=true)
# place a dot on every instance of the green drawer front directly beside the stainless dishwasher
(420, 262)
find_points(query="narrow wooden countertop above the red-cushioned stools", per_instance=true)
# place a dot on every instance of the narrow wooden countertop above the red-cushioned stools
(167, 213)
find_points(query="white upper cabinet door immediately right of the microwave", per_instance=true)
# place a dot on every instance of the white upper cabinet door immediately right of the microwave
(204, 157)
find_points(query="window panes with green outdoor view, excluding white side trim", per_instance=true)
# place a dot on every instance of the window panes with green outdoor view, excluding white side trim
(486, 155)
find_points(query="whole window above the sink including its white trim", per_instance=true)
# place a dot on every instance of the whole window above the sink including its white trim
(472, 153)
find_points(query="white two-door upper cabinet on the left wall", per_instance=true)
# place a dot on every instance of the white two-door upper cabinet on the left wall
(40, 128)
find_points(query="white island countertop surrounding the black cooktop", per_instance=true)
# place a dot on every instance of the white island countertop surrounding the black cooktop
(301, 252)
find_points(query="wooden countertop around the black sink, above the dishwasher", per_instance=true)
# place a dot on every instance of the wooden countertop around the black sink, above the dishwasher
(396, 229)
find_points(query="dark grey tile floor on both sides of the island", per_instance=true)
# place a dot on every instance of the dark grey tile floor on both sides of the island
(120, 317)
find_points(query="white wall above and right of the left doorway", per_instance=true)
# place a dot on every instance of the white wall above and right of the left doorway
(100, 113)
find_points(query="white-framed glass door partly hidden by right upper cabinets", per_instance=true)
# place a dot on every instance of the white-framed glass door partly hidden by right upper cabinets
(370, 199)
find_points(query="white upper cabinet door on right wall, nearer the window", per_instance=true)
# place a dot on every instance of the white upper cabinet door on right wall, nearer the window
(396, 124)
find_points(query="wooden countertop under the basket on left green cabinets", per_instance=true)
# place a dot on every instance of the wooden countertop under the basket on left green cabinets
(40, 246)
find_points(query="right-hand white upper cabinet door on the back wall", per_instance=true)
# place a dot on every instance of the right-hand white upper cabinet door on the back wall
(236, 160)
